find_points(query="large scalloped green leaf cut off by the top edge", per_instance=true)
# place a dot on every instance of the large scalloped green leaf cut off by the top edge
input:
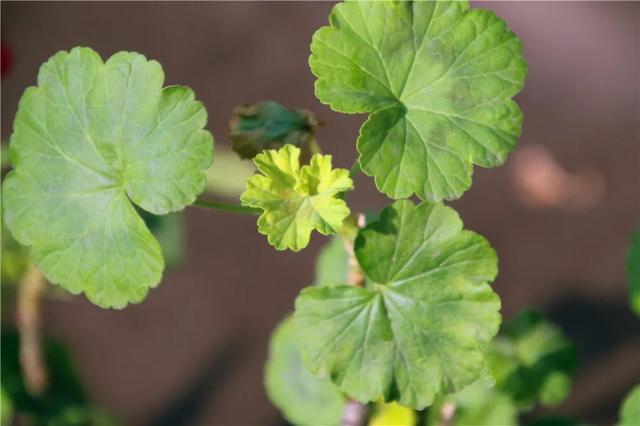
(437, 80)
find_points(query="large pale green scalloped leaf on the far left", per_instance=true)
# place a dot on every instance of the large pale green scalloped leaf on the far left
(89, 141)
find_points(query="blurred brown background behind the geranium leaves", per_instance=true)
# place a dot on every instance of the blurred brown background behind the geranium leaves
(560, 213)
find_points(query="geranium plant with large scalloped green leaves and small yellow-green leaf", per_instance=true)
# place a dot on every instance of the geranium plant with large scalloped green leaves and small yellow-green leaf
(402, 312)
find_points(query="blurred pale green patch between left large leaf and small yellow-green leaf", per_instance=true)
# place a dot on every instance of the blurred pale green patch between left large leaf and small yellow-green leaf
(227, 176)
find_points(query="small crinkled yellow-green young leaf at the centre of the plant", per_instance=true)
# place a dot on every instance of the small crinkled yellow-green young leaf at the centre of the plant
(296, 200)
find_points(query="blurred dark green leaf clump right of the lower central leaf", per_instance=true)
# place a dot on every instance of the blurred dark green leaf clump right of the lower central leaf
(533, 361)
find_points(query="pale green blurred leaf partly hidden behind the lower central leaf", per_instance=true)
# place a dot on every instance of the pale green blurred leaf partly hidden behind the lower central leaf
(302, 398)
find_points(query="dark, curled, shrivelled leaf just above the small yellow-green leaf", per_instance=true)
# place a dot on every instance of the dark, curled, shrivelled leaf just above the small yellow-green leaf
(269, 125)
